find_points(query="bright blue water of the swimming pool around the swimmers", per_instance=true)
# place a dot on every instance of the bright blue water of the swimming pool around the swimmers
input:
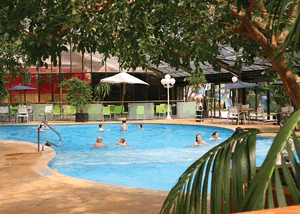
(155, 158)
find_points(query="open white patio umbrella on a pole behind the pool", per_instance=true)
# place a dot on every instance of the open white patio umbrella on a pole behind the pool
(123, 78)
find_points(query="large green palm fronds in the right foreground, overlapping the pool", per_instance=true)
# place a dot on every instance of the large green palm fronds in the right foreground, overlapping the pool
(236, 181)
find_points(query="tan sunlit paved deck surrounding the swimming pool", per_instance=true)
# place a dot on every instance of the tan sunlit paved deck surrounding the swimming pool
(28, 185)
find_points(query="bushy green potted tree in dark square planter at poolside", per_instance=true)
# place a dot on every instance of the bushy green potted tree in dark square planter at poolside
(79, 93)
